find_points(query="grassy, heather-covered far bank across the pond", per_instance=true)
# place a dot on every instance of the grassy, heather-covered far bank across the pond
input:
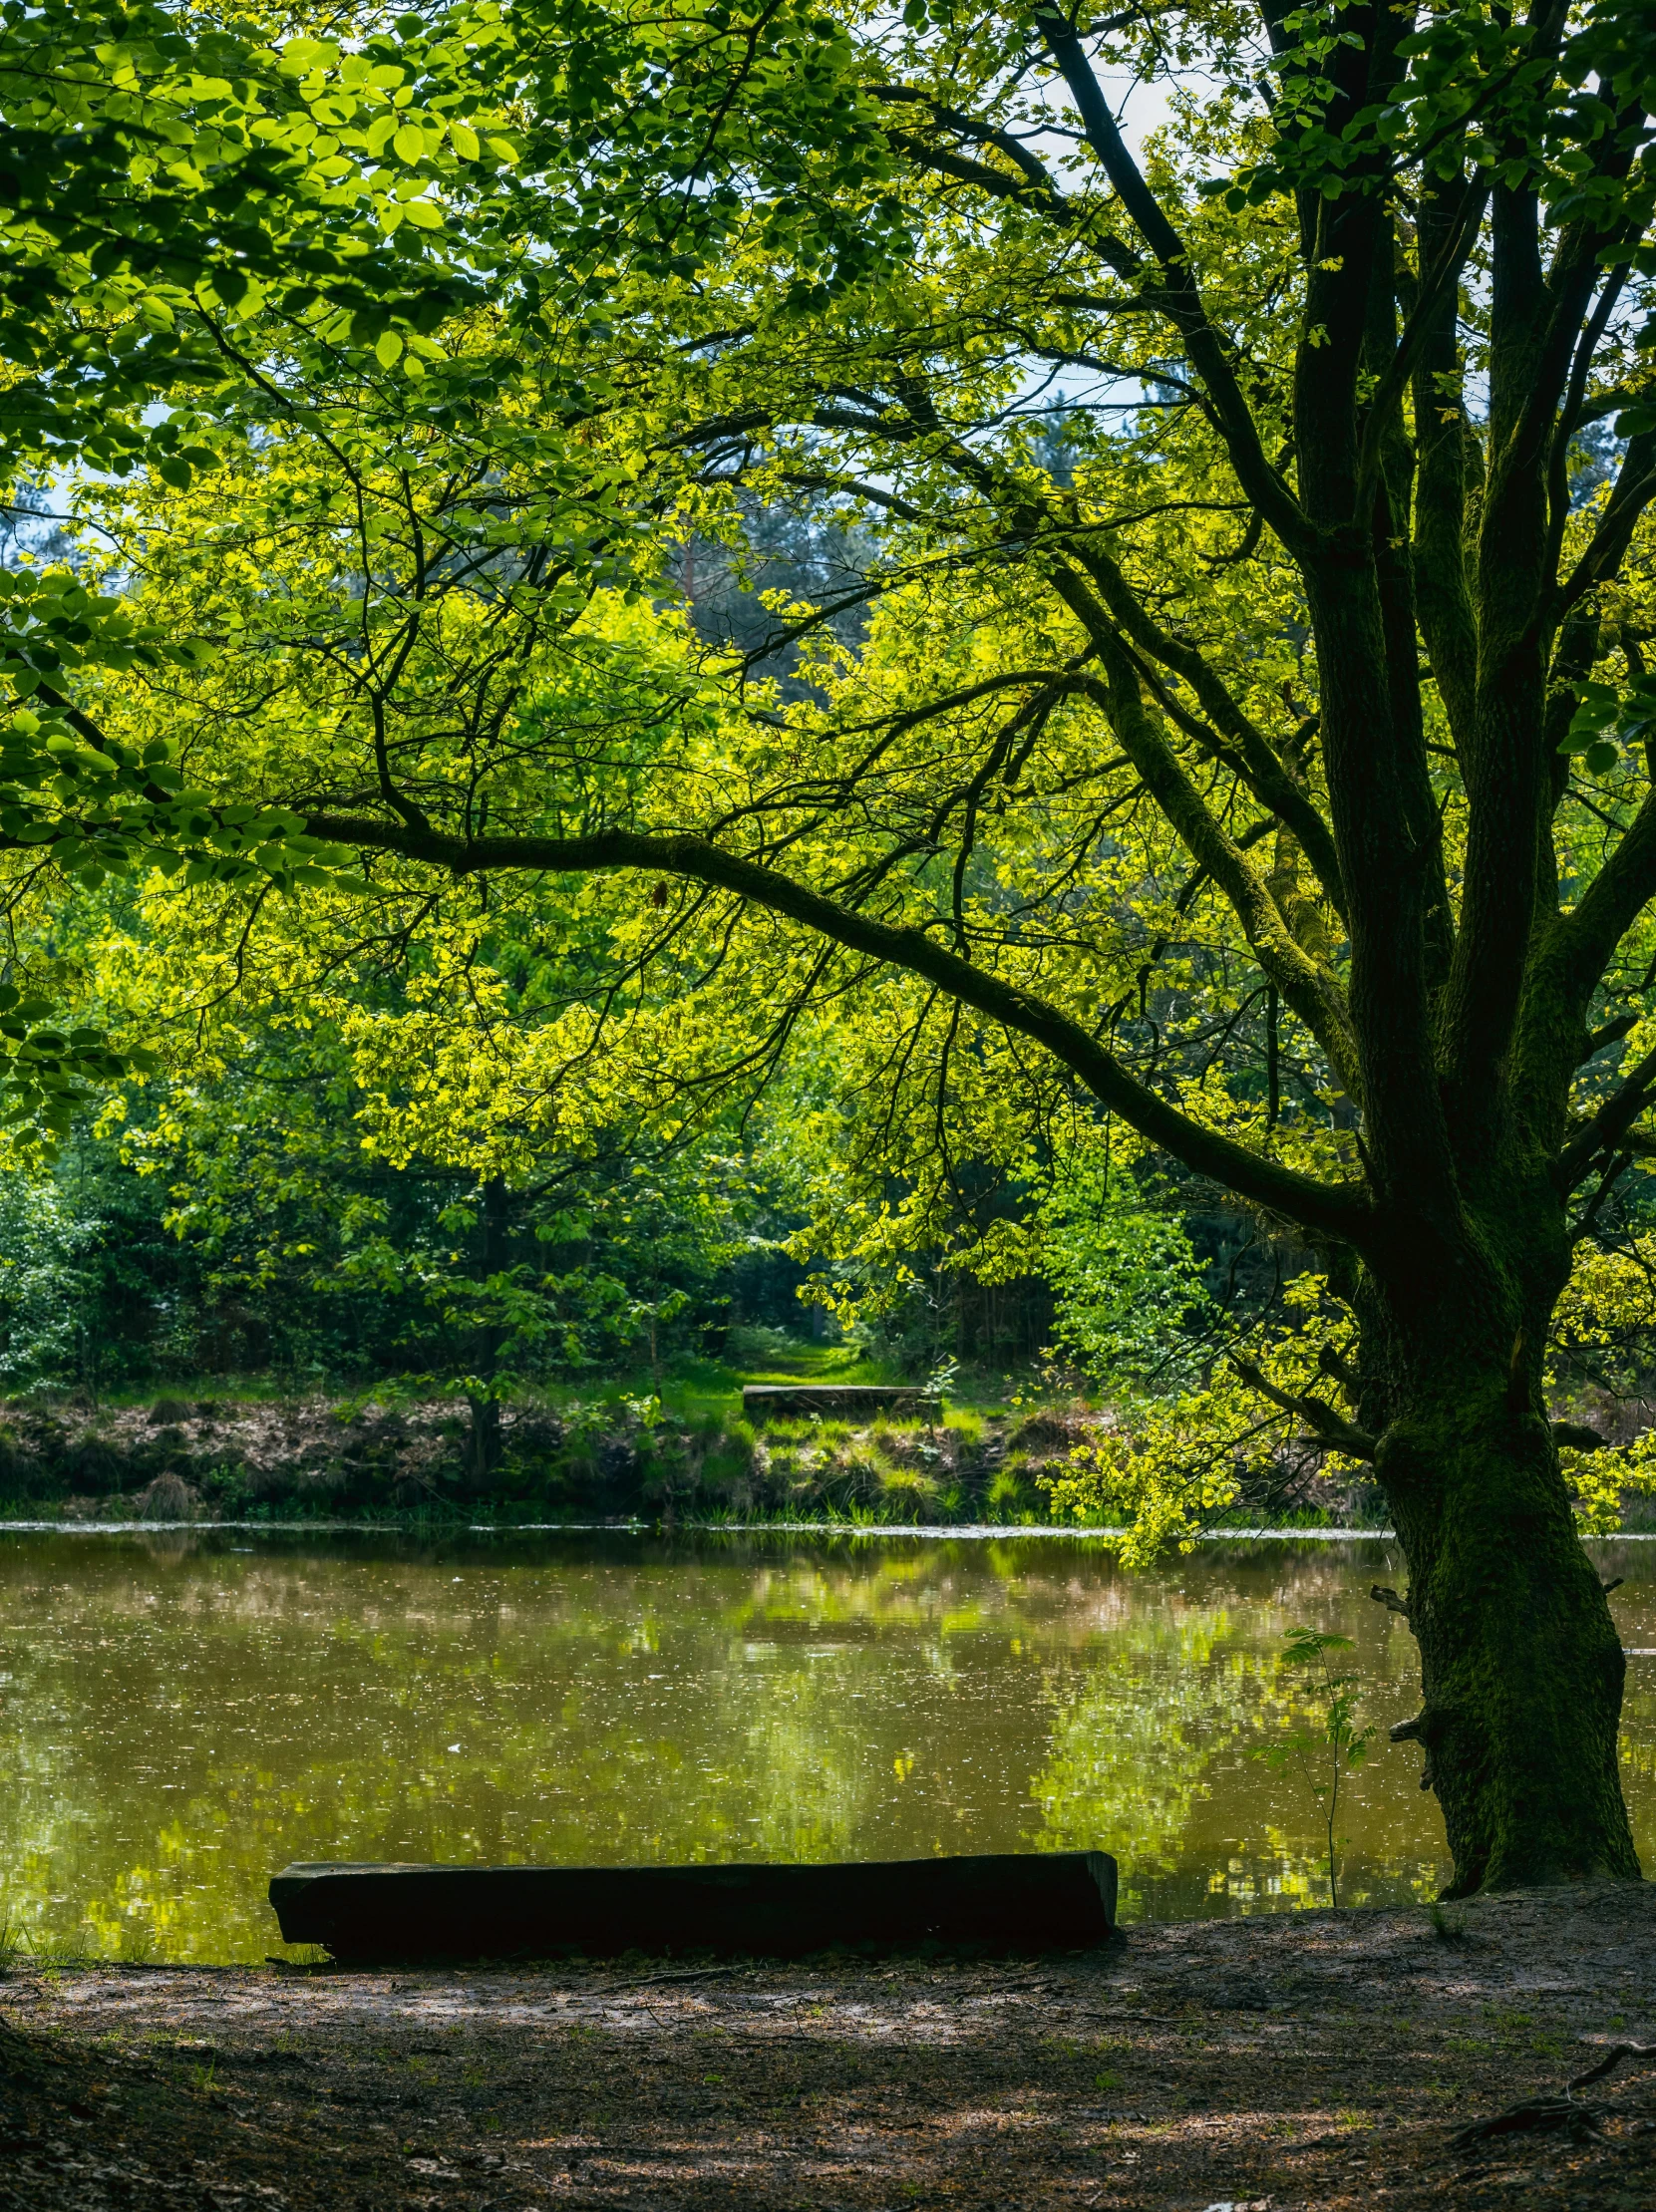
(578, 1459)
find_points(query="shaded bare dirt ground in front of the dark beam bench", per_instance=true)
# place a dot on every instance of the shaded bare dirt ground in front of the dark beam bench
(1310, 2060)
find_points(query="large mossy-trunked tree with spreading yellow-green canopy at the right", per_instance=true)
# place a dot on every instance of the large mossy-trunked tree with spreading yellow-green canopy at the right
(1257, 665)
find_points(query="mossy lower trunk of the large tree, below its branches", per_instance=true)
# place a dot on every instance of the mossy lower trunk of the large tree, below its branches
(1522, 1665)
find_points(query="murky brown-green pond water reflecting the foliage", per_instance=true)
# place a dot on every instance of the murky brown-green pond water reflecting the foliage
(187, 1711)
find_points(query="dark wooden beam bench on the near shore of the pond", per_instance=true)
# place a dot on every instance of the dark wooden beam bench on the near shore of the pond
(1018, 1901)
